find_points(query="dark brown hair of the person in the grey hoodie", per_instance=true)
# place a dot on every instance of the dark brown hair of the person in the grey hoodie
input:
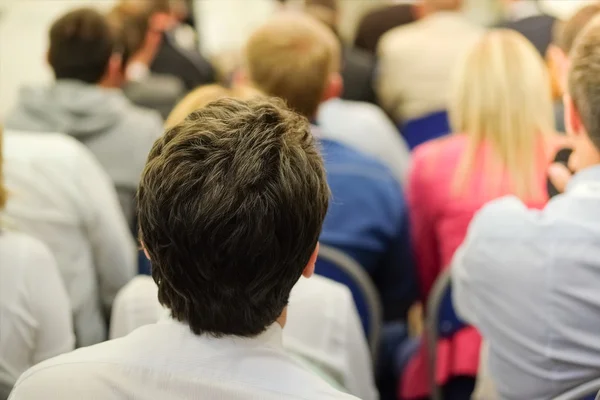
(81, 44)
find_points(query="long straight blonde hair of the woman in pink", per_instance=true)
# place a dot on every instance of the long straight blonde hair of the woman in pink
(501, 97)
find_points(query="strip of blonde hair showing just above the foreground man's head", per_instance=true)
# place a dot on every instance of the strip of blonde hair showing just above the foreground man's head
(201, 96)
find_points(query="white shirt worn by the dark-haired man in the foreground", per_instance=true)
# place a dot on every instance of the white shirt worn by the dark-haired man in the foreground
(167, 361)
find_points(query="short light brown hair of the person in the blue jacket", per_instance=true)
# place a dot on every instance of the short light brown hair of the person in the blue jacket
(292, 57)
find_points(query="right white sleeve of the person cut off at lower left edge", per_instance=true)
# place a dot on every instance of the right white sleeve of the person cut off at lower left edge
(49, 305)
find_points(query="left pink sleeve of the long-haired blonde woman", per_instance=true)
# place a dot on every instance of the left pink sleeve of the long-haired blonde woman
(422, 219)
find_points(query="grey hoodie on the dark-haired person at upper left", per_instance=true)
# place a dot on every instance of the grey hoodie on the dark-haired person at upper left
(118, 133)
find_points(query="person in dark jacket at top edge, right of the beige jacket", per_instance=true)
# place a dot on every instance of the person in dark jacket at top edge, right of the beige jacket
(527, 18)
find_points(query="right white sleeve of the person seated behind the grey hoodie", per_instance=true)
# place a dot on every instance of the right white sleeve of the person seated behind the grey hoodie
(112, 244)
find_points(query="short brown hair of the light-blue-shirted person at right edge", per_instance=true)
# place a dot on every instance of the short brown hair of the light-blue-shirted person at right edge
(584, 78)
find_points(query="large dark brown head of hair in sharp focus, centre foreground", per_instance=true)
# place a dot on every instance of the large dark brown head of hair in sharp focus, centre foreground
(231, 204)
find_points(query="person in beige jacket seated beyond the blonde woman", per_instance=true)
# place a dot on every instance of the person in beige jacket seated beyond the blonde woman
(417, 60)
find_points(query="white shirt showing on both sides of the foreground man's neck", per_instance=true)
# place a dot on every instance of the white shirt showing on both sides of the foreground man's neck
(323, 328)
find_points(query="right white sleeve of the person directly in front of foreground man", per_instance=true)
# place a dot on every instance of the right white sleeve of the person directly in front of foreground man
(359, 377)
